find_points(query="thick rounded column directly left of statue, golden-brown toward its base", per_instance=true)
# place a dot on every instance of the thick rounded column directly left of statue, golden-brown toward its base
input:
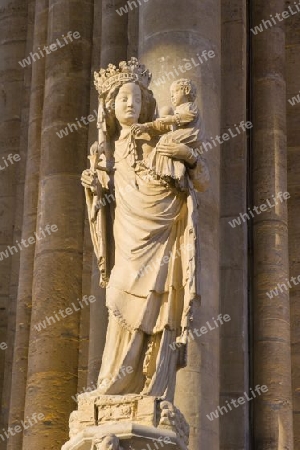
(57, 284)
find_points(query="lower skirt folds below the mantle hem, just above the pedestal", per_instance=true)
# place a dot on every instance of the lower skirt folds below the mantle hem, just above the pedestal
(140, 363)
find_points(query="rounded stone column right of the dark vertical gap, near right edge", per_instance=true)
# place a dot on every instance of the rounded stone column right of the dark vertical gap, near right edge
(271, 316)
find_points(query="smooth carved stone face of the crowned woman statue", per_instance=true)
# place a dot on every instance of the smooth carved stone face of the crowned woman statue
(128, 104)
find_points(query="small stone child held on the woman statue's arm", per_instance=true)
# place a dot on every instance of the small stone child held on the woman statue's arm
(184, 126)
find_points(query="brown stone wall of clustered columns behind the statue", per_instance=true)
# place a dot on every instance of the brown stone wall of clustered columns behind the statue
(250, 78)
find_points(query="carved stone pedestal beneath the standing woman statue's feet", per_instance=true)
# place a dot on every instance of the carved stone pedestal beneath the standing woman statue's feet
(137, 422)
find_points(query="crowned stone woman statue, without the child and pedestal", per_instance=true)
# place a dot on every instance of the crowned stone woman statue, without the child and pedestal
(145, 234)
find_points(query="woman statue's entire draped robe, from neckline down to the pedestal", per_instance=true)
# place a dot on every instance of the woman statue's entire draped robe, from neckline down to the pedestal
(155, 276)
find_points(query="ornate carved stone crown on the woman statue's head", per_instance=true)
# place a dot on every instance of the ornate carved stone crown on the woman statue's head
(130, 70)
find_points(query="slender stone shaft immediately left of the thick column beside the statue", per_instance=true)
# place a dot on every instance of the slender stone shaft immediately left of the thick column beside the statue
(24, 302)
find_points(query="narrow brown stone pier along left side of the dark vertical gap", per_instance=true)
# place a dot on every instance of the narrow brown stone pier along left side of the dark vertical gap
(234, 369)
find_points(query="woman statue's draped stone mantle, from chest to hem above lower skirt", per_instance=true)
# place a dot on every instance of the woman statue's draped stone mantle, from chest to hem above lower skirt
(156, 273)
